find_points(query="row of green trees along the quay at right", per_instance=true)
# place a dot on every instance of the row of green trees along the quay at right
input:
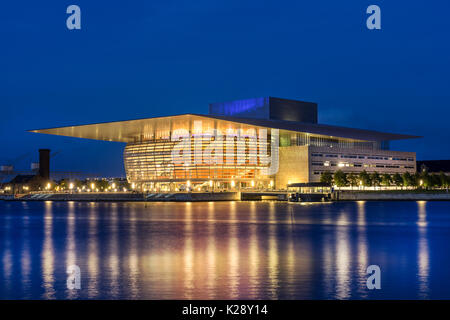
(374, 179)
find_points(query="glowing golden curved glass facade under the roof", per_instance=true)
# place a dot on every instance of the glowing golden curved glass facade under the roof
(190, 152)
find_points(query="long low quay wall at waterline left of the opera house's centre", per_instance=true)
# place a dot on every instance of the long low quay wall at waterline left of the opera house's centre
(220, 196)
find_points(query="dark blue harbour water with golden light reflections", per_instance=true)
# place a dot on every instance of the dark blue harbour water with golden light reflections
(224, 250)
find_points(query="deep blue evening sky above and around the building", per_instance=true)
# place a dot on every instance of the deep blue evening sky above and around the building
(139, 58)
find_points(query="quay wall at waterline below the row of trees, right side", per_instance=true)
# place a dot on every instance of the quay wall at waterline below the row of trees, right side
(390, 196)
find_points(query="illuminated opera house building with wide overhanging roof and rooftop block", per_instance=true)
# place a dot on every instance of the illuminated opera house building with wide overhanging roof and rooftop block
(261, 144)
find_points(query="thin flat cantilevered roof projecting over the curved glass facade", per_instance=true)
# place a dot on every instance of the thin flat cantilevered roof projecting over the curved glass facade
(129, 130)
